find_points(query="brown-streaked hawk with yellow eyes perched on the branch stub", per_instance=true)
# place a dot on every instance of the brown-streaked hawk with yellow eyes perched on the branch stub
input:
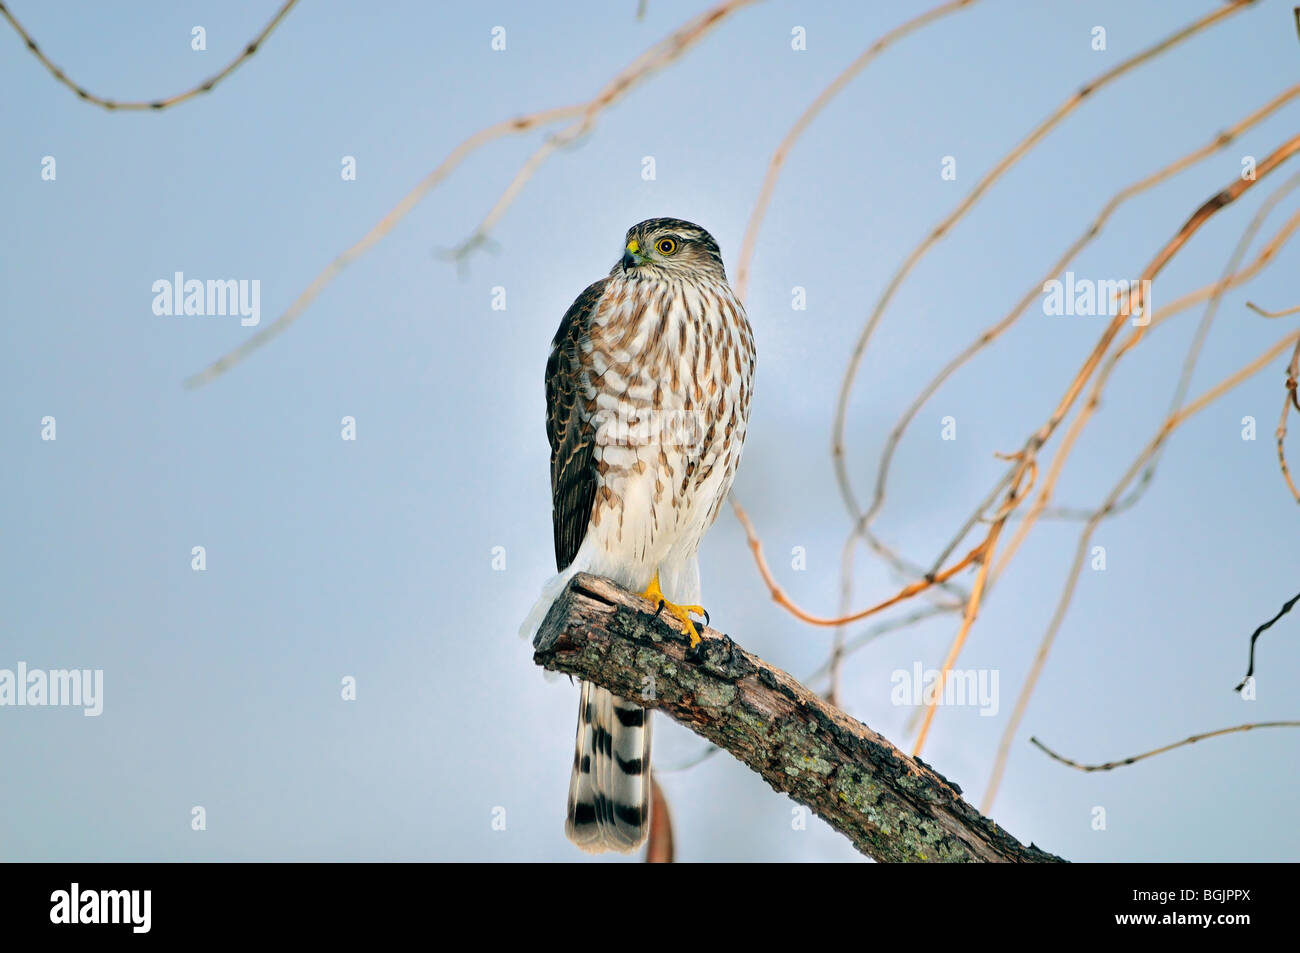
(648, 393)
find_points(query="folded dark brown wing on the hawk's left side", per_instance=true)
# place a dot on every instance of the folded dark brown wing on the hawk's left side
(573, 440)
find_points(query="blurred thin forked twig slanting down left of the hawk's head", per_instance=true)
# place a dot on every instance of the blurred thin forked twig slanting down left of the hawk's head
(644, 66)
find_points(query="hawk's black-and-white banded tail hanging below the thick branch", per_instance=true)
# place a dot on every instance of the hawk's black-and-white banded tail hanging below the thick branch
(609, 807)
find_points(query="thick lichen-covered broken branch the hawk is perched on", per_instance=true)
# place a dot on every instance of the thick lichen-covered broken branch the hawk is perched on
(891, 807)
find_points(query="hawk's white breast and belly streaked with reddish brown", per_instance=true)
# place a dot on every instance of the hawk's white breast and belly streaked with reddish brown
(669, 372)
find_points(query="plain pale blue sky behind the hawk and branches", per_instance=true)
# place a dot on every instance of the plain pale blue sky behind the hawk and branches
(374, 560)
